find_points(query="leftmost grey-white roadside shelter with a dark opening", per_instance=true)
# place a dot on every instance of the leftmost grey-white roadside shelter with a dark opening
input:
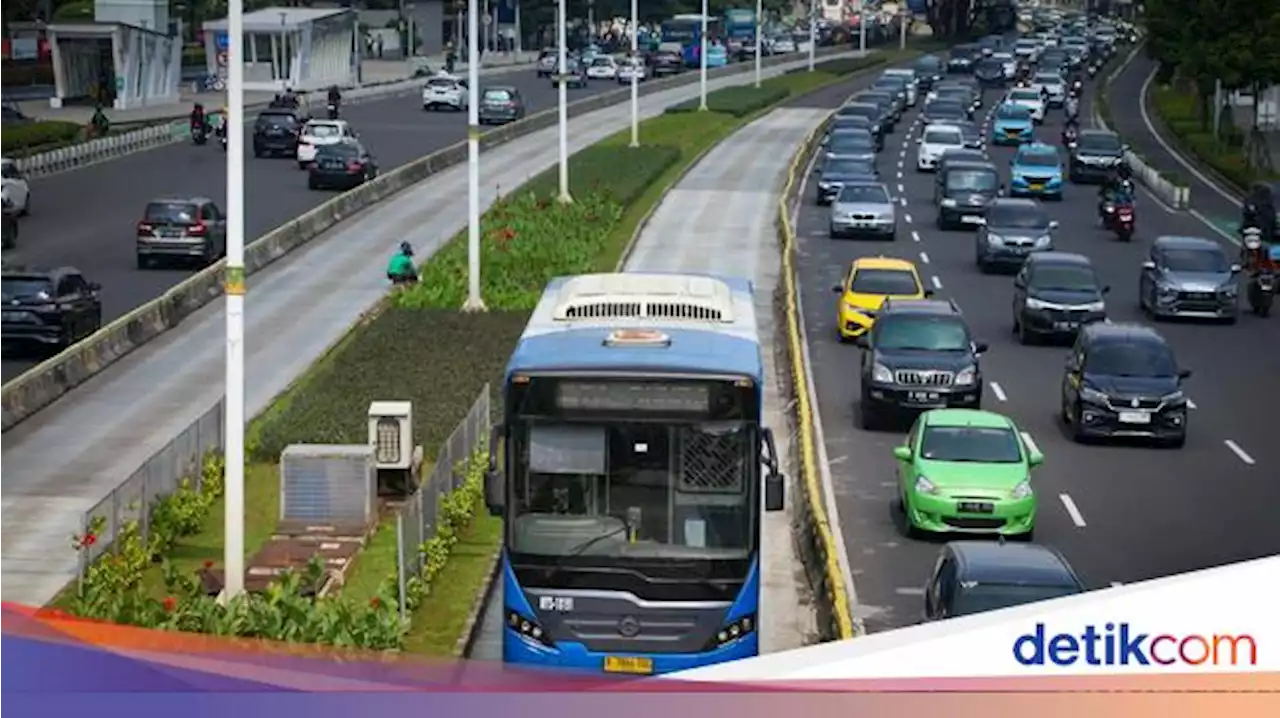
(118, 65)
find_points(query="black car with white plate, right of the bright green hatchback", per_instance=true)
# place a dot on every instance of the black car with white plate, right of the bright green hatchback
(1122, 381)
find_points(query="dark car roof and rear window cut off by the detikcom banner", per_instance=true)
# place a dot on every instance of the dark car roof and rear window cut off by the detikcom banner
(980, 577)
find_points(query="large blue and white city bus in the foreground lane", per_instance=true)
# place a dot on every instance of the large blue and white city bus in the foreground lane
(630, 468)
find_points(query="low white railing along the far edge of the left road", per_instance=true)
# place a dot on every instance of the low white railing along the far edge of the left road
(180, 130)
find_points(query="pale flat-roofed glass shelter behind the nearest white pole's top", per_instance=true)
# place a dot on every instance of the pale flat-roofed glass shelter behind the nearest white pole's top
(301, 49)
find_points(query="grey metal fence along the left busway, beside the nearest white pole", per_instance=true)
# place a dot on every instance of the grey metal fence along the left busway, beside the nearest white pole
(158, 477)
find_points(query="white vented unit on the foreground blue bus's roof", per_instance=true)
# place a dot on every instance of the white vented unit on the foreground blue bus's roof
(646, 296)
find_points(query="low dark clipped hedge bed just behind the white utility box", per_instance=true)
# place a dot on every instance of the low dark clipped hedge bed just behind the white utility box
(438, 360)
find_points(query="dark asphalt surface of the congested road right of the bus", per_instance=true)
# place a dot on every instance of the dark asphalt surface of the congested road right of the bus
(1121, 514)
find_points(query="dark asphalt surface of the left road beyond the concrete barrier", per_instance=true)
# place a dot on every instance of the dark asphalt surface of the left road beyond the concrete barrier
(86, 218)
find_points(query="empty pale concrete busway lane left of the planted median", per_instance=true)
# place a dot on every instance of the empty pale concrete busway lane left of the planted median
(106, 429)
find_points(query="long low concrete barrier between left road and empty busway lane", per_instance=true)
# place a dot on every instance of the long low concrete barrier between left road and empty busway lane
(43, 385)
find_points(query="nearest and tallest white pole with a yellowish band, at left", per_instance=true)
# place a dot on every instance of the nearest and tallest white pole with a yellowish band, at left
(234, 403)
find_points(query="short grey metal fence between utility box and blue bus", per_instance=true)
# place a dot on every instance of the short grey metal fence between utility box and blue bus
(417, 522)
